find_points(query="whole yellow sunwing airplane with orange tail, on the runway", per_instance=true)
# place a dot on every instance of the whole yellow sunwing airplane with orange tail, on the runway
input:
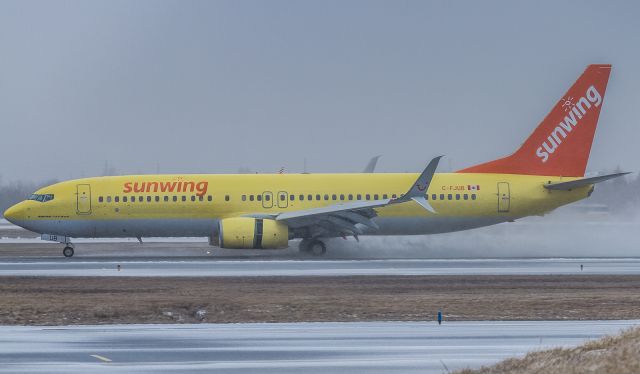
(266, 211)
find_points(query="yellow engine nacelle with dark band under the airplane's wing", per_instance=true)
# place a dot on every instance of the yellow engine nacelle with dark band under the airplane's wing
(252, 233)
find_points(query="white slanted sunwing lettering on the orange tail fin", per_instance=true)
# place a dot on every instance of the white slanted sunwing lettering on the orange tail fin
(576, 112)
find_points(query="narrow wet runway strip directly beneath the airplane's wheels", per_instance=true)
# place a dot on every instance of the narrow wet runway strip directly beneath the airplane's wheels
(203, 266)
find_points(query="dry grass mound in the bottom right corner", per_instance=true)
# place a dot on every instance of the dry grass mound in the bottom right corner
(618, 354)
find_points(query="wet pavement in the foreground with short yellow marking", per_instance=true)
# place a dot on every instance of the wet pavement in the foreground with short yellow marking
(419, 347)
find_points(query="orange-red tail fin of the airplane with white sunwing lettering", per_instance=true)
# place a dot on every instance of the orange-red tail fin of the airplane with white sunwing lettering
(561, 143)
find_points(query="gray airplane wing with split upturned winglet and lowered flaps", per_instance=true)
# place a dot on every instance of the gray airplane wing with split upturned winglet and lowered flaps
(353, 218)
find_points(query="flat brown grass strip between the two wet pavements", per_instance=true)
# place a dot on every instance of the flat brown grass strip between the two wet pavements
(89, 300)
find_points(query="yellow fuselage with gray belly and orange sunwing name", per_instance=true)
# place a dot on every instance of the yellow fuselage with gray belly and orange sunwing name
(191, 205)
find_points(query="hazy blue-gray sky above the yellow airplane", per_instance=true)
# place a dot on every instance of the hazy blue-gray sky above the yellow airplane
(204, 86)
